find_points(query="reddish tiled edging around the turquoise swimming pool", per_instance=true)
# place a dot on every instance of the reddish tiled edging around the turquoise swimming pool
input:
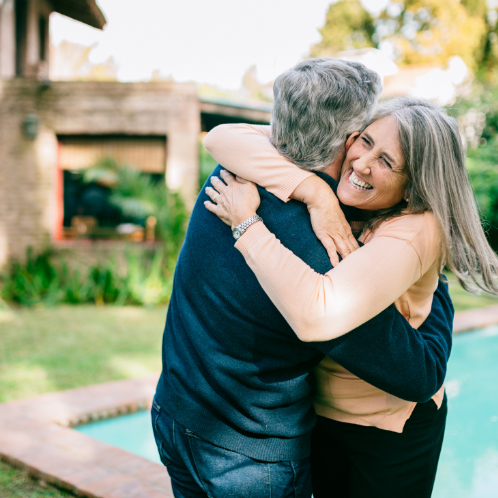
(35, 434)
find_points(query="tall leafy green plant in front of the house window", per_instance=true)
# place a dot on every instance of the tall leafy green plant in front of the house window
(137, 195)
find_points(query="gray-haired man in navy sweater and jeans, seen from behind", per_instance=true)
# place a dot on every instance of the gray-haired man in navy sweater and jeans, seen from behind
(233, 413)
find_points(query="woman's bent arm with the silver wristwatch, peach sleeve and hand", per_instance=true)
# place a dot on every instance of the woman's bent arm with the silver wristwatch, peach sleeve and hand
(318, 307)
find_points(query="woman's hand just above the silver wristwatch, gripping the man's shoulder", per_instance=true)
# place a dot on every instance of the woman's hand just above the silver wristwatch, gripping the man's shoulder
(234, 201)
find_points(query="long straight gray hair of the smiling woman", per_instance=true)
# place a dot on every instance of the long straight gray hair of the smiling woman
(438, 181)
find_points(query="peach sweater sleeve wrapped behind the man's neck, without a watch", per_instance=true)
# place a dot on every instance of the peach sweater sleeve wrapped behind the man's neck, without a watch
(246, 151)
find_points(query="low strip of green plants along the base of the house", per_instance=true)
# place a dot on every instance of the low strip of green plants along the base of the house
(145, 277)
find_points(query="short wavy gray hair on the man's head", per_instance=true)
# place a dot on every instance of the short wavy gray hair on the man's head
(318, 104)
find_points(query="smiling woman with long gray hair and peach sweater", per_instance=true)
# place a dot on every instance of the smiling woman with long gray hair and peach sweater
(406, 174)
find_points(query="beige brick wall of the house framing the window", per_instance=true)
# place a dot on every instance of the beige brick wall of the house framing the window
(28, 168)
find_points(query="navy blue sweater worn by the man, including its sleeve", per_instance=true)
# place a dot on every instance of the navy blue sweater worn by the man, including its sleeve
(235, 373)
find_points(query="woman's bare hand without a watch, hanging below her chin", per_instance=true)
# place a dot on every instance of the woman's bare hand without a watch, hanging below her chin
(327, 219)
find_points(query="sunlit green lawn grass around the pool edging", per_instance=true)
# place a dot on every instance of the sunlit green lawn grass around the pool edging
(51, 349)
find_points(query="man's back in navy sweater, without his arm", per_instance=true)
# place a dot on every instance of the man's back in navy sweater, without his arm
(234, 372)
